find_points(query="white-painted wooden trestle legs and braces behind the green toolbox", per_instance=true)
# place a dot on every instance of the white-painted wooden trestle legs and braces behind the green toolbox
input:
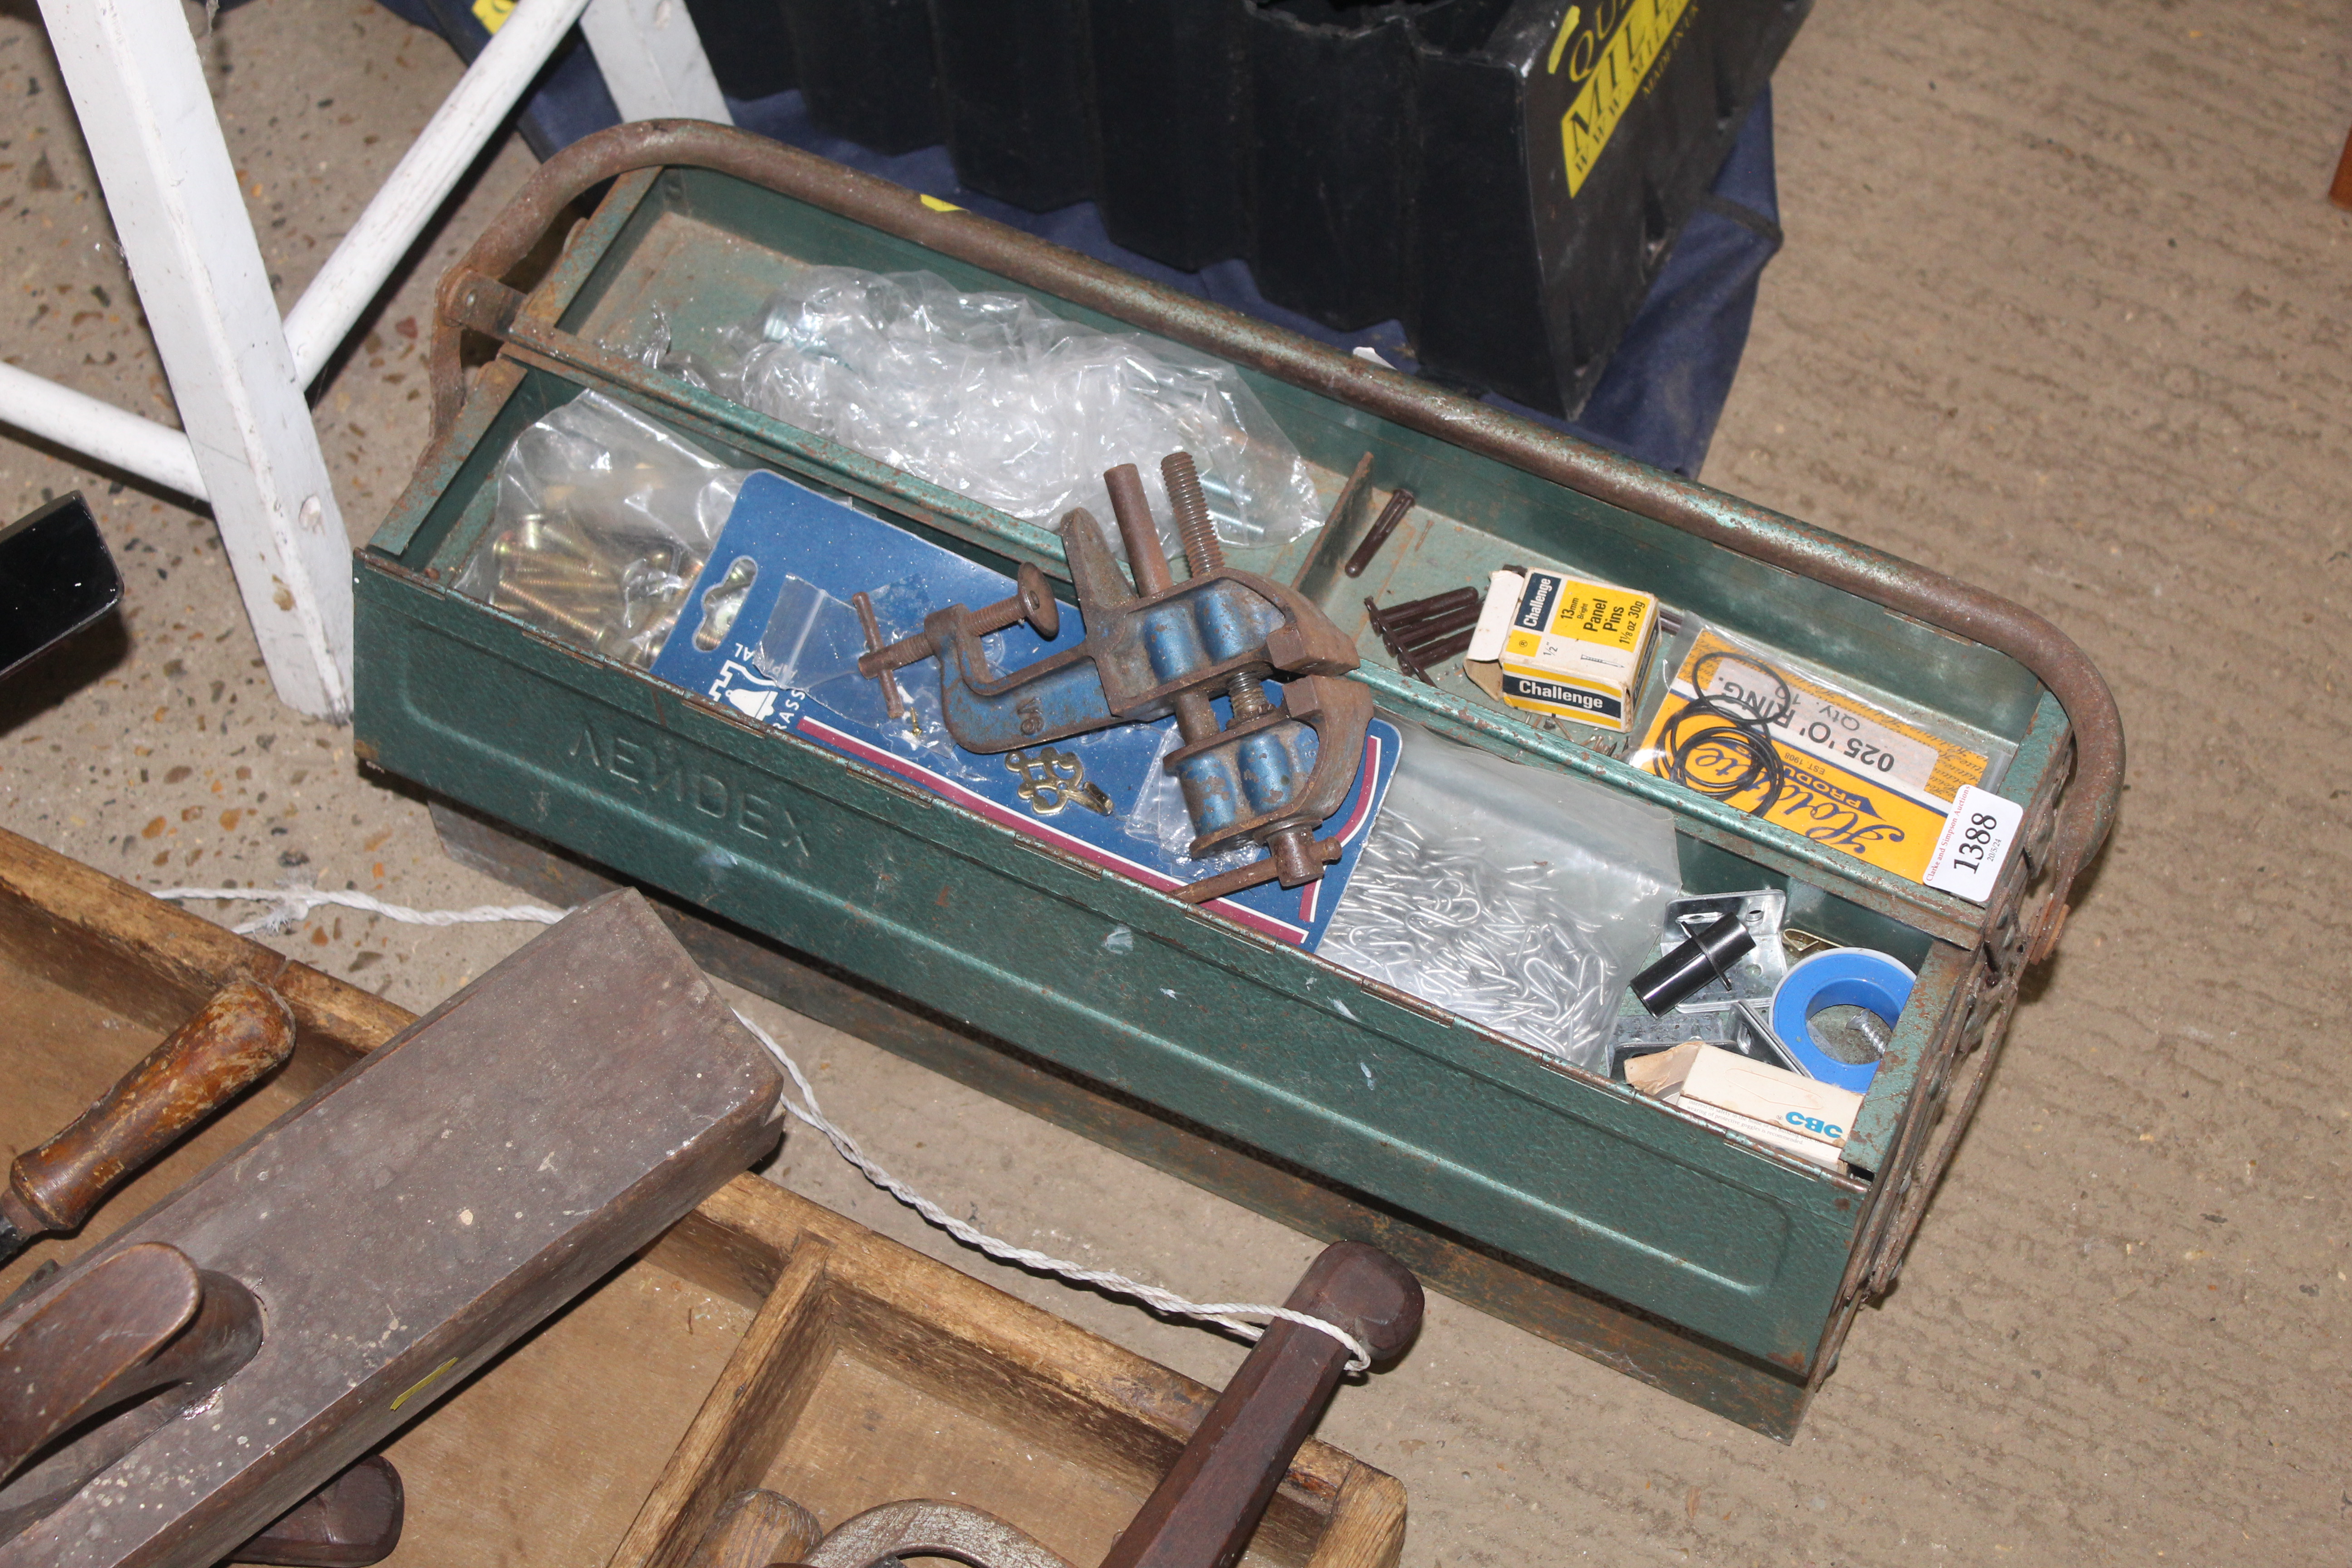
(236, 370)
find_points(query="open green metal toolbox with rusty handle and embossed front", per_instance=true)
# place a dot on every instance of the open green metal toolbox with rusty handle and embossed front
(1676, 1252)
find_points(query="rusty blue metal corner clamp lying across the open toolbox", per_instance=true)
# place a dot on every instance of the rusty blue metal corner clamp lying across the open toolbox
(1158, 650)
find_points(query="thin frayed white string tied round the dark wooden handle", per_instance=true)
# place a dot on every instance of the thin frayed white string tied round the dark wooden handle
(295, 904)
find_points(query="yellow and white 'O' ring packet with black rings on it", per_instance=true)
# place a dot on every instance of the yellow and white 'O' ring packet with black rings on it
(1850, 775)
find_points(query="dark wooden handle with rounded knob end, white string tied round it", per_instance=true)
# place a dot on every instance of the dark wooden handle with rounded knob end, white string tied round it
(1210, 1503)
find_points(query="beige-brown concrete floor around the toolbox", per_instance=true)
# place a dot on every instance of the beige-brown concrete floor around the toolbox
(2062, 314)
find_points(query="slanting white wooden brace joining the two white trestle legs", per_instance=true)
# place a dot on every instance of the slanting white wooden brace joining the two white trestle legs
(425, 177)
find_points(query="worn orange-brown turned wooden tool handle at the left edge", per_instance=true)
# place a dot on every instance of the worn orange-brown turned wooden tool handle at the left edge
(206, 1064)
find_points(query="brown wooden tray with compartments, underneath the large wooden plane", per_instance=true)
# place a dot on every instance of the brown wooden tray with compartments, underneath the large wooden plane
(867, 1372)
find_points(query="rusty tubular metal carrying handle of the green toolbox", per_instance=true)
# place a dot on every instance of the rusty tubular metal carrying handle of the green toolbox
(2087, 805)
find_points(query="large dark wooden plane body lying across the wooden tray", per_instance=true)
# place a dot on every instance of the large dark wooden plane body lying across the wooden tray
(410, 1221)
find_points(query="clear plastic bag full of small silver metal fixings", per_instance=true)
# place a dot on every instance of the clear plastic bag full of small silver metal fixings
(1516, 897)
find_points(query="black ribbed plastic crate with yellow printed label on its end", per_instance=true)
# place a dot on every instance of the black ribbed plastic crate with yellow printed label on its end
(1504, 177)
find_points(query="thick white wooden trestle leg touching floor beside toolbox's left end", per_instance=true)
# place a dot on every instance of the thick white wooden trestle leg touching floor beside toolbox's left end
(173, 194)
